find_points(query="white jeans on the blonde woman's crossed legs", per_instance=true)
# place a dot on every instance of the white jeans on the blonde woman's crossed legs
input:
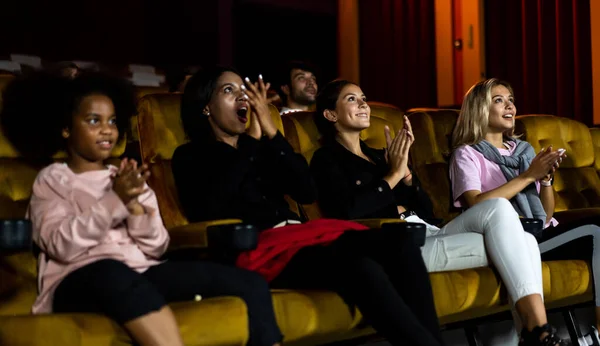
(492, 225)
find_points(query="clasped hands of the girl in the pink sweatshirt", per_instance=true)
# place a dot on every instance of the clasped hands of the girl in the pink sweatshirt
(129, 181)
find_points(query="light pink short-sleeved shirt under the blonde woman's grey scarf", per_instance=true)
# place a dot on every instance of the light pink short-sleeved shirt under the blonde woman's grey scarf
(470, 170)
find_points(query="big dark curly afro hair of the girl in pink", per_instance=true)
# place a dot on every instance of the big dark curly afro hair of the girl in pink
(38, 106)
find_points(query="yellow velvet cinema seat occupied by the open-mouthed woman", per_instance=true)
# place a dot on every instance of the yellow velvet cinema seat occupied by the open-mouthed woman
(305, 317)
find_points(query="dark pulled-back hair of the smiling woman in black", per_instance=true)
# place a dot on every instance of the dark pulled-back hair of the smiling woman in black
(327, 99)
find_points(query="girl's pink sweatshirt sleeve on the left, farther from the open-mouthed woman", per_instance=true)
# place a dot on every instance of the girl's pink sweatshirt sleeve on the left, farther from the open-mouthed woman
(60, 229)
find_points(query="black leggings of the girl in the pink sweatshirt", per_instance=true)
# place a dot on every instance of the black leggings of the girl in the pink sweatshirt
(111, 288)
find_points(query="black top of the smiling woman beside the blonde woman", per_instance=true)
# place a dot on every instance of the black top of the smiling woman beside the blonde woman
(351, 187)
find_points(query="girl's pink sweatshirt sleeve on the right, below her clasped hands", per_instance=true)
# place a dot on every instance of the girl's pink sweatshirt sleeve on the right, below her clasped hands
(148, 230)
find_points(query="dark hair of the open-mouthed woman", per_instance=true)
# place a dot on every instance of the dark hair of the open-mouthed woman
(197, 94)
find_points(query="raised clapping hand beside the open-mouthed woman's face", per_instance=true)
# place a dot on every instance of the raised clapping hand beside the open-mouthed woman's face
(256, 94)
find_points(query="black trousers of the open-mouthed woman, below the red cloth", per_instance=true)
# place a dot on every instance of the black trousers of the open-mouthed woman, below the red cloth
(382, 273)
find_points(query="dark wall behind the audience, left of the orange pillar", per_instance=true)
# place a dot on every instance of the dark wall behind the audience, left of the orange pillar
(163, 33)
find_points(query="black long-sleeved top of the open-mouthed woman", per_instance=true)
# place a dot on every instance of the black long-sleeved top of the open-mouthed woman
(217, 181)
